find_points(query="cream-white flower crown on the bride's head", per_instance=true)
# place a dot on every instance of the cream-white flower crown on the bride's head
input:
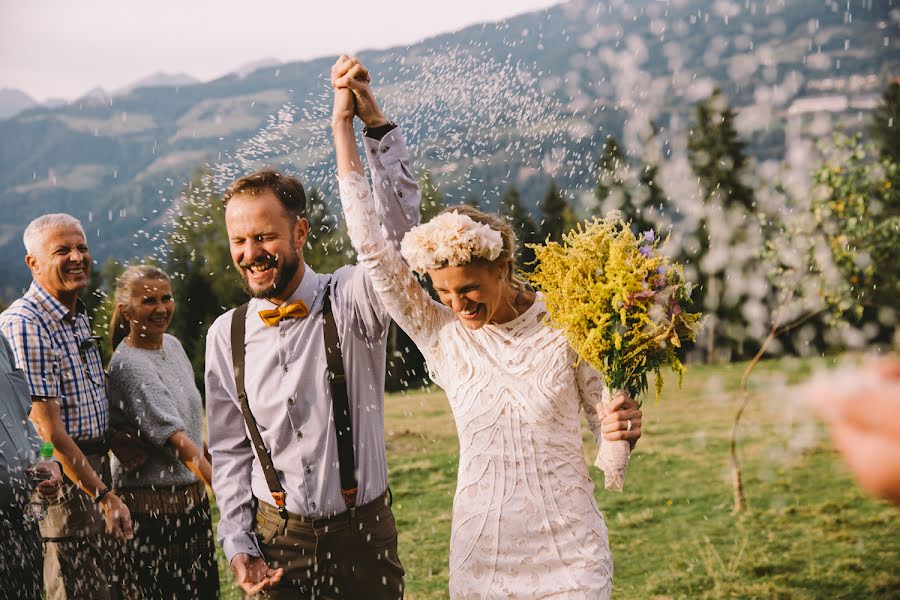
(449, 240)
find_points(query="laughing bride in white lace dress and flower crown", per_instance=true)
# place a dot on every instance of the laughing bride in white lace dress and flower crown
(525, 522)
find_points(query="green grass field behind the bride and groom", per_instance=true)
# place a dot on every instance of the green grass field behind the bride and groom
(811, 532)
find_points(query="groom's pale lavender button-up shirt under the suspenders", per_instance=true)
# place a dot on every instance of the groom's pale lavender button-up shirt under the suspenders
(287, 384)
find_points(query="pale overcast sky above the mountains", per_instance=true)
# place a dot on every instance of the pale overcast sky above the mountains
(63, 48)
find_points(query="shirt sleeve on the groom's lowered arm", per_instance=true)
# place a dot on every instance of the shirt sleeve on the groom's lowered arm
(232, 454)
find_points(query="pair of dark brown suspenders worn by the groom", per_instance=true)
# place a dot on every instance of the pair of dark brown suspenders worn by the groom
(340, 406)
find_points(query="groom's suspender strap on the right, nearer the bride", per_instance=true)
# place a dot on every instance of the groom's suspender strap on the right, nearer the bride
(340, 403)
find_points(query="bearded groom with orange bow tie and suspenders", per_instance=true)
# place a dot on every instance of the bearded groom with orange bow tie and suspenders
(301, 488)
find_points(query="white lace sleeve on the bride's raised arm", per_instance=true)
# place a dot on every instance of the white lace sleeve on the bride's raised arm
(405, 300)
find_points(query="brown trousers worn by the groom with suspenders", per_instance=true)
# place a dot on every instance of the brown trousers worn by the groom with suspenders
(350, 555)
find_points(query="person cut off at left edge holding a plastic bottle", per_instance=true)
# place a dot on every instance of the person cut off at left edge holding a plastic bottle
(20, 553)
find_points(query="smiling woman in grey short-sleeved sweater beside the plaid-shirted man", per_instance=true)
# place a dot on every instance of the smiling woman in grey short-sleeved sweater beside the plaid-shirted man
(152, 393)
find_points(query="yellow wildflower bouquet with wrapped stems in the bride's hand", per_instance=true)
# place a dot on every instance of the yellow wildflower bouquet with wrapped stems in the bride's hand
(621, 304)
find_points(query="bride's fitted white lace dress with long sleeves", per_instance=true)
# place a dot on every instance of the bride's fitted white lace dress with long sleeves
(525, 523)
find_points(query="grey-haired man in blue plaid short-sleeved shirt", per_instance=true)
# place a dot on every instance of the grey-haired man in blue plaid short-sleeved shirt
(53, 344)
